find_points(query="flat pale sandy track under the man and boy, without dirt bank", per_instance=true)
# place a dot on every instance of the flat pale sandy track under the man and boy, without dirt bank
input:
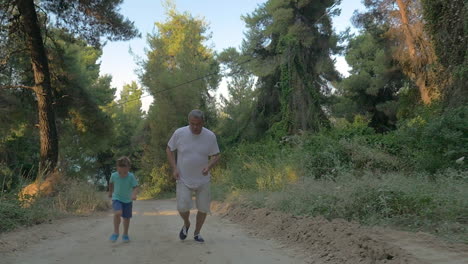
(154, 230)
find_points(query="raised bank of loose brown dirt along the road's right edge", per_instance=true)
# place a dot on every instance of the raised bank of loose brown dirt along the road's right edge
(336, 241)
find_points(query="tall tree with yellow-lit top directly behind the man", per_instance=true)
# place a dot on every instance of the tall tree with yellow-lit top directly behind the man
(177, 54)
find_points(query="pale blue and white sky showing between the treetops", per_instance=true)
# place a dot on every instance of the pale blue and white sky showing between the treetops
(120, 59)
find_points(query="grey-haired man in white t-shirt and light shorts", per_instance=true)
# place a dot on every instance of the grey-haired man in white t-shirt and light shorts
(197, 152)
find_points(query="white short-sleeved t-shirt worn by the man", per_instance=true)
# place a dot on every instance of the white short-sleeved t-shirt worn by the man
(193, 152)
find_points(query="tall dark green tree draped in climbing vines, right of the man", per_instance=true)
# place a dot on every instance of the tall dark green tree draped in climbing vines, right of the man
(291, 42)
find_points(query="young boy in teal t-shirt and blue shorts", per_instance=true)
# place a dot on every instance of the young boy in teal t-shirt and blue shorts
(123, 188)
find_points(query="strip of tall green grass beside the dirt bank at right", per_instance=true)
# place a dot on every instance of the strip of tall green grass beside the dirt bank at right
(416, 203)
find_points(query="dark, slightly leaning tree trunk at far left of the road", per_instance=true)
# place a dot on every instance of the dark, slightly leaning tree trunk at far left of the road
(42, 87)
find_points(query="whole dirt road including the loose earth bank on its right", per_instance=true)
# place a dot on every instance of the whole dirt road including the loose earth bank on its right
(154, 233)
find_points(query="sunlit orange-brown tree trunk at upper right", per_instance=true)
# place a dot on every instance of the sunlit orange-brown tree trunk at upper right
(410, 42)
